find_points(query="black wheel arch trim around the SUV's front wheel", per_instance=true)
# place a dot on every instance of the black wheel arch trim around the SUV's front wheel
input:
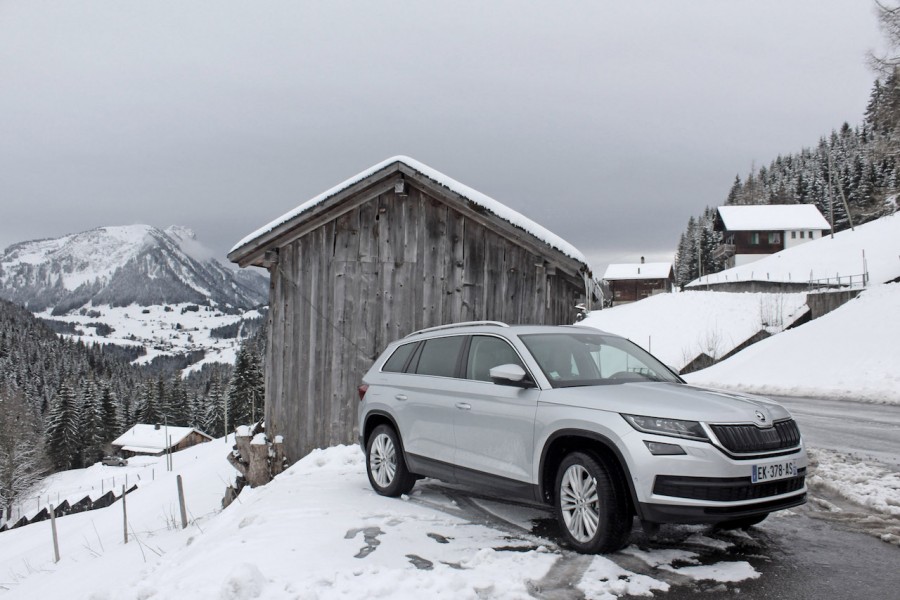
(565, 441)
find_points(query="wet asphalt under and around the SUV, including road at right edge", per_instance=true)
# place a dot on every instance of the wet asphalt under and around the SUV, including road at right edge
(808, 553)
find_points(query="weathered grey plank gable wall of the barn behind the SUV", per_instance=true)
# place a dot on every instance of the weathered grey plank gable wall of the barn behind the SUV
(388, 267)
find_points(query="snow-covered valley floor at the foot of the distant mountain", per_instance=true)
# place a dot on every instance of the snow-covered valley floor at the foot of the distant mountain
(163, 330)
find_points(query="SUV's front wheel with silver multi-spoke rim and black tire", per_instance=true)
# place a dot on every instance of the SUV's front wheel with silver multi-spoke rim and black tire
(591, 506)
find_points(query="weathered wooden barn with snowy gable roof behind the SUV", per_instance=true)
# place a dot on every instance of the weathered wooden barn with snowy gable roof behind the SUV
(396, 248)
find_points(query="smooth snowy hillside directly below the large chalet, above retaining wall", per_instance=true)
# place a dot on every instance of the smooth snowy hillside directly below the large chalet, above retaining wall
(828, 258)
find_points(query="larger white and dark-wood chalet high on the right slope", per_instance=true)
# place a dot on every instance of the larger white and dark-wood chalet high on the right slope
(754, 231)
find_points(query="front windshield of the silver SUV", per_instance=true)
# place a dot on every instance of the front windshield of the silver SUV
(579, 359)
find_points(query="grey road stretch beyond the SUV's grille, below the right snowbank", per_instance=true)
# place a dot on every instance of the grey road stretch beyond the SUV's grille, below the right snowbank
(865, 430)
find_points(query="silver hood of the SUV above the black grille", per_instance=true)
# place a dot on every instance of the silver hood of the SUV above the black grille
(672, 401)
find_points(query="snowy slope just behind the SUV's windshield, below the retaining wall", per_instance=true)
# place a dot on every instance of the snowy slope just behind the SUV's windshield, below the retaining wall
(677, 328)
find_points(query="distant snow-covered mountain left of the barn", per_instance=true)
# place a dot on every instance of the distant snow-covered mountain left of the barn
(120, 266)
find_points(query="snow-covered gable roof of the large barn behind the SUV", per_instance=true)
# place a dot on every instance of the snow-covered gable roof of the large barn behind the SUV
(267, 233)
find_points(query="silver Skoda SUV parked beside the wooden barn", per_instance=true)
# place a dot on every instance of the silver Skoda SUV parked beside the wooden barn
(581, 420)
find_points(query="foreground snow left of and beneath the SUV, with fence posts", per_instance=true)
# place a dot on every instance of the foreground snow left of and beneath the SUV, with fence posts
(316, 531)
